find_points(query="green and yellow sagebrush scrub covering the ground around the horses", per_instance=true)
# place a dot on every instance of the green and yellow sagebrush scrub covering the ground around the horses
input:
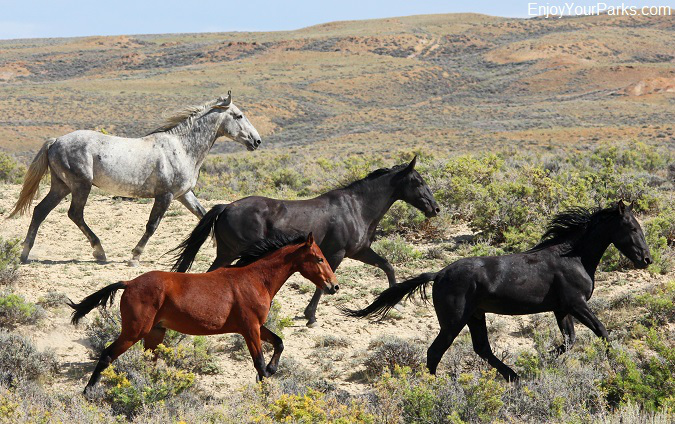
(505, 199)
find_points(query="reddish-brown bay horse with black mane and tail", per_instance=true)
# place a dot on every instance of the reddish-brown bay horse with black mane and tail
(234, 299)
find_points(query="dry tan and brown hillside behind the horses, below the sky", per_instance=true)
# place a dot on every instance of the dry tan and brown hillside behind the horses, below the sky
(455, 82)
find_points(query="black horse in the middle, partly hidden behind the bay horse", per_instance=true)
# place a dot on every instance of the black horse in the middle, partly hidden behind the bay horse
(343, 222)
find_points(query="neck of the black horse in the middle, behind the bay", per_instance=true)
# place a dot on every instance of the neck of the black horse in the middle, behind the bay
(376, 196)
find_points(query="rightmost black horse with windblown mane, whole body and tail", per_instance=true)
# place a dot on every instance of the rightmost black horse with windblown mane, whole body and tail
(557, 275)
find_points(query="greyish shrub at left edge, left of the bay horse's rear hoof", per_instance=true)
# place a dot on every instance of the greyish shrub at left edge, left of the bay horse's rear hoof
(20, 360)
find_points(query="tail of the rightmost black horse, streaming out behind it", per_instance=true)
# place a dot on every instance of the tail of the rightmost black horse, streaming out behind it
(393, 295)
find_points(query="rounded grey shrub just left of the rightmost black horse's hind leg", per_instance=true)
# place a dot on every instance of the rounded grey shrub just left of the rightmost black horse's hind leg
(391, 352)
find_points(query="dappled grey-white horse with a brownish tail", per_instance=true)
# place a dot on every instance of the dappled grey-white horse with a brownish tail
(163, 165)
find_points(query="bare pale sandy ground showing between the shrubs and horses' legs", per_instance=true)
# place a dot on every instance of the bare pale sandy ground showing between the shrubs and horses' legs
(61, 261)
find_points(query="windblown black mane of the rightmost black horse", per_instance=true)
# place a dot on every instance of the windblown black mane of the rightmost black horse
(569, 225)
